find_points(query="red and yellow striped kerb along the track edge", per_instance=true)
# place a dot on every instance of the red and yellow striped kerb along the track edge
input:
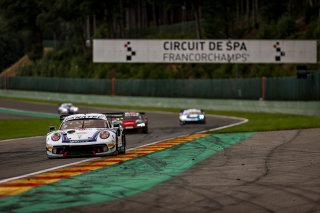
(24, 184)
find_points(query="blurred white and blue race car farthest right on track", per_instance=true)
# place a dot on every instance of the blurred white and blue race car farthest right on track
(192, 116)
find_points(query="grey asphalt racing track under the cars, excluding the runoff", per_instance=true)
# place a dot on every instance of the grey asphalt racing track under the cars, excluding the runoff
(23, 156)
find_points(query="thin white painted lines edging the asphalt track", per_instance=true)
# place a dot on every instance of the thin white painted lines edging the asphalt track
(243, 120)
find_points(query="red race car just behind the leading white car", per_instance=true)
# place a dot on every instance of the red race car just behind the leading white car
(135, 121)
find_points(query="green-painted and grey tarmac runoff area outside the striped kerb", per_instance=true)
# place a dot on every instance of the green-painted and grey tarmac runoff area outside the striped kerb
(252, 172)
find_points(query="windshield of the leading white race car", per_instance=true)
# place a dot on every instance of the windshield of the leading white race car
(84, 123)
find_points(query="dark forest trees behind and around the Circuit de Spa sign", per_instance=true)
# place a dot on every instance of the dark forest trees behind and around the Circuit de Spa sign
(72, 24)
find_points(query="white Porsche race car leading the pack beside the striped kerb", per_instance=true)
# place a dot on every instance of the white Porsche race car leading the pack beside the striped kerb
(86, 134)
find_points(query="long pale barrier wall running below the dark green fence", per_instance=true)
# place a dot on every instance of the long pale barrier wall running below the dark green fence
(288, 107)
